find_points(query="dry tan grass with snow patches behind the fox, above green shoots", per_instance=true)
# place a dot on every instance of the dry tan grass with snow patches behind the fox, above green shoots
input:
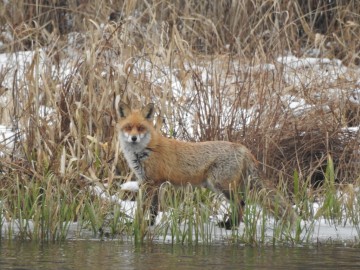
(204, 63)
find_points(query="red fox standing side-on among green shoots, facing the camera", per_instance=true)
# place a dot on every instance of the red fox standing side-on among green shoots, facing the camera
(221, 166)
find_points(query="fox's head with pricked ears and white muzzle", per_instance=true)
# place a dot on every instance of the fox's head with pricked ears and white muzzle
(135, 126)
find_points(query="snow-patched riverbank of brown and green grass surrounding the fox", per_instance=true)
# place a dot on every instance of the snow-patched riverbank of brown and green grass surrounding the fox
(279, 77)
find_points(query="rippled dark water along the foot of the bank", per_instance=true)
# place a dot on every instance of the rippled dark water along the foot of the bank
(115, 255)
